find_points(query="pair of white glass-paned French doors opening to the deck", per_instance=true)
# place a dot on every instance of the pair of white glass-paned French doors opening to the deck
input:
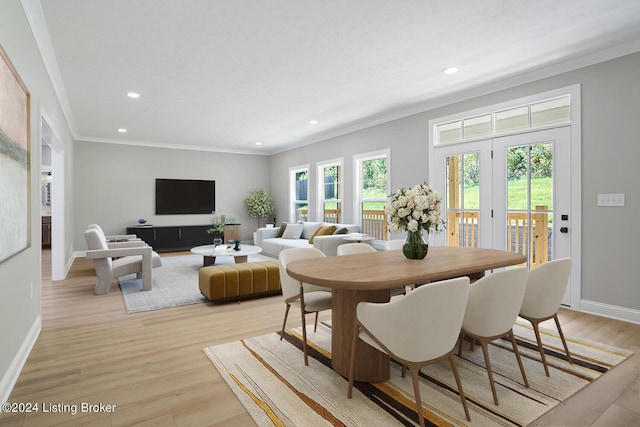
(511, 193)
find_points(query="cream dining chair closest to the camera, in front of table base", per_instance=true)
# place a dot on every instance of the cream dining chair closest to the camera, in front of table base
(416, 330)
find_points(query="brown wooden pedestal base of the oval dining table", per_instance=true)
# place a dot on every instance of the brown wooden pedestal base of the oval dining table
(371, 364)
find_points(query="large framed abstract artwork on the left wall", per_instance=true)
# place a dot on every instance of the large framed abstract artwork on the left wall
(15, 233)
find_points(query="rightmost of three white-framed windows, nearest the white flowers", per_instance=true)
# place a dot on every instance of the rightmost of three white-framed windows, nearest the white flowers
(372, 190)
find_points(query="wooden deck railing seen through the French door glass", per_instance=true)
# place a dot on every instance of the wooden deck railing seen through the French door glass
(464, 230)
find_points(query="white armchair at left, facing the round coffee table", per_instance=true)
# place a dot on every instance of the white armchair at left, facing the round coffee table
(131, 256)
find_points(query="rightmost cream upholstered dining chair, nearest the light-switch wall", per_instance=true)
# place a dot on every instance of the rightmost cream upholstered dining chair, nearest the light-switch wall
(546, 286)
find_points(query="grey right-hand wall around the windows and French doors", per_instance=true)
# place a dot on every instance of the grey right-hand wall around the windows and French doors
(610, 159)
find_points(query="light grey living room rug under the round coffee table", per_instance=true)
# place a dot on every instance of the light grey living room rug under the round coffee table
(175, 283)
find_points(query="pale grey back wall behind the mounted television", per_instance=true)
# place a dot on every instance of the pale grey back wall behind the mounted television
(115, 185)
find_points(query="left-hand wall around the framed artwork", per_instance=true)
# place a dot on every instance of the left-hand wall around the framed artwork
(20, 276)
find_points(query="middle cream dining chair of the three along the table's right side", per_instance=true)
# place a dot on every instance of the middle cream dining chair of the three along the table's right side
(492, 310)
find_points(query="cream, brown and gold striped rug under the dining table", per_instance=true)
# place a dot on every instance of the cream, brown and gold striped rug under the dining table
(270, 379)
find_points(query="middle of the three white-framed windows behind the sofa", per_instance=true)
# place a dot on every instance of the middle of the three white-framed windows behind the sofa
(330, 191)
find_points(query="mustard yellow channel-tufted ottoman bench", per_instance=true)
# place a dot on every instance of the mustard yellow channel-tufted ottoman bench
(237, 281)
